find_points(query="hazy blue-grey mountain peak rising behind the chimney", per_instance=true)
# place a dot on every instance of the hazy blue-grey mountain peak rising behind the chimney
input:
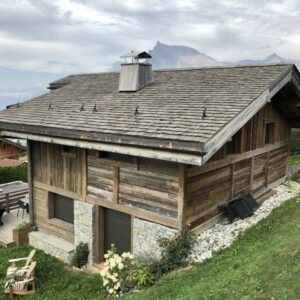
(165, 57)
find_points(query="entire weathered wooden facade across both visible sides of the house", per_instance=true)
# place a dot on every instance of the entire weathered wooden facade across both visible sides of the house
(168, 193)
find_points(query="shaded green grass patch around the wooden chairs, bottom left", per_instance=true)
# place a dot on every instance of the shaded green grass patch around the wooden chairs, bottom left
(54, 279)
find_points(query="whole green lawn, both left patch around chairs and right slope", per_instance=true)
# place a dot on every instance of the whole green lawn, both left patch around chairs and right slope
(264, 263)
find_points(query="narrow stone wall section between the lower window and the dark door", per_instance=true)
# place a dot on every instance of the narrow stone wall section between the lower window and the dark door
(84, 225)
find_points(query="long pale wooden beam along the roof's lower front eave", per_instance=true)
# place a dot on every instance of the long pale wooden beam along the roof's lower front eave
(179, 157)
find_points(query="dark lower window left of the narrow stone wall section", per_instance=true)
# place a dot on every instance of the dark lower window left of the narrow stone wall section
(61, 207)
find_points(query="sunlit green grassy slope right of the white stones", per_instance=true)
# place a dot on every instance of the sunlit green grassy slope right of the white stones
(263, 264)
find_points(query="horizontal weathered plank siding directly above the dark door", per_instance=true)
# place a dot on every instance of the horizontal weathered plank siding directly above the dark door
(147, 188)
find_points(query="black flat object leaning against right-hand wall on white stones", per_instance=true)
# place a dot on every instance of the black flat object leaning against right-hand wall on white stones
(240, 207)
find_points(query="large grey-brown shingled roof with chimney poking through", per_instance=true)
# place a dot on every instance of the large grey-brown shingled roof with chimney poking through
(170, 111)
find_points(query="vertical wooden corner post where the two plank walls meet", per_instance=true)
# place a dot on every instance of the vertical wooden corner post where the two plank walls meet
(182, 185)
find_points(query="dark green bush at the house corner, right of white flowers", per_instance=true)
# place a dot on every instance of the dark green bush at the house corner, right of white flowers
(174, 252)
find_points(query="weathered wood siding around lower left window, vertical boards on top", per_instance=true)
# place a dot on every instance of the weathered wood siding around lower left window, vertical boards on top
(55, 171)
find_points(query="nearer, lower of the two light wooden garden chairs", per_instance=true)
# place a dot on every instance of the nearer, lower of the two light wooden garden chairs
(25, 286)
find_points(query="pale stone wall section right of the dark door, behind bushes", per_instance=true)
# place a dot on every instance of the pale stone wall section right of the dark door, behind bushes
(145, 238)
